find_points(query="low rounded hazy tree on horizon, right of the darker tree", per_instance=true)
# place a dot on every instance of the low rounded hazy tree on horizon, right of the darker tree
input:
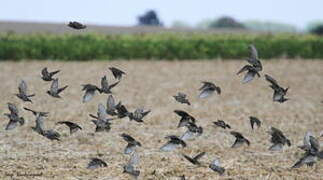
(226, 22)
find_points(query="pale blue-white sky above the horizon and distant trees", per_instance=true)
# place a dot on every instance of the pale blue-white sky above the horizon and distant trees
(124, 12)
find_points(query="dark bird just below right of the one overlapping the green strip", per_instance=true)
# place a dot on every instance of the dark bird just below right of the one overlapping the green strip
(279, 92)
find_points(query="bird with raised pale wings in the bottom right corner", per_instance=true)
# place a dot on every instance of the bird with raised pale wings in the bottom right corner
(311, 147)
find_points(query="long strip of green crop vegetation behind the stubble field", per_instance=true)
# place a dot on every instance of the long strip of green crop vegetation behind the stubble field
(156, 46)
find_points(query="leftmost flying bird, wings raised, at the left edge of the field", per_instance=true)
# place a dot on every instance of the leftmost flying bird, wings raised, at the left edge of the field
(14, 118)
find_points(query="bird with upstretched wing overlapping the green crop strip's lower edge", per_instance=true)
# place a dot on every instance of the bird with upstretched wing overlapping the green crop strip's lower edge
(254, 68)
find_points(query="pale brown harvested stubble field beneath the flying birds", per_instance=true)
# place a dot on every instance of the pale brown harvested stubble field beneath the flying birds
(151, 84)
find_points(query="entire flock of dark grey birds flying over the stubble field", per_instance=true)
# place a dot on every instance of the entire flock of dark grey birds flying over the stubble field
(119, 111)
